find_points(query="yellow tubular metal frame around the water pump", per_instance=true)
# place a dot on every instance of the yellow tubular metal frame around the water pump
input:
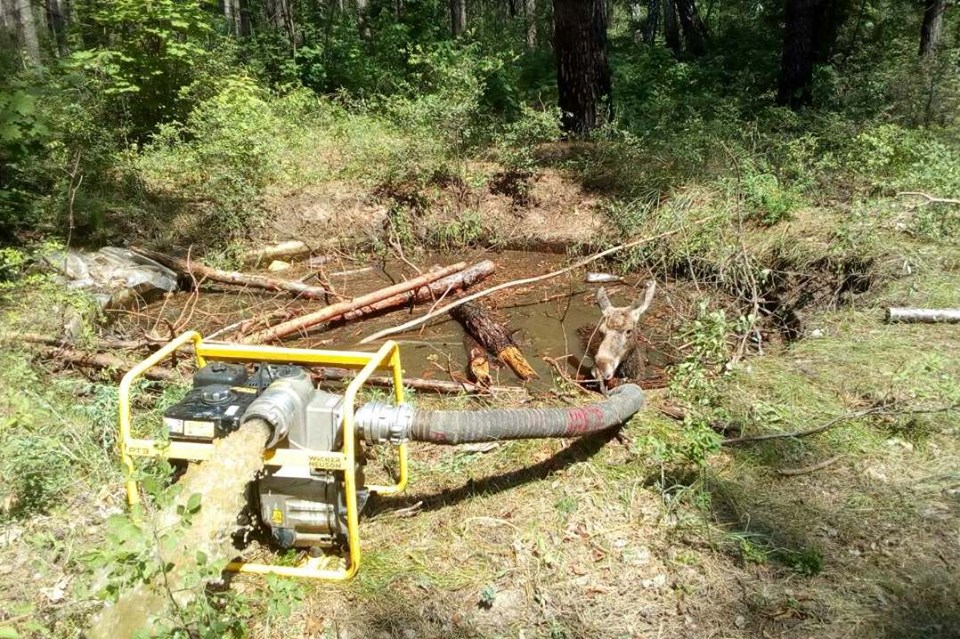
(387, 357)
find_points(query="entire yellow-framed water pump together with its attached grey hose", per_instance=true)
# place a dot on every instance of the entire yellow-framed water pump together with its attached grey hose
(312, 489)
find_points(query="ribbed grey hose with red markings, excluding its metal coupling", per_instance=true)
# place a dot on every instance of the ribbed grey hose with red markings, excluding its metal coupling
(466, 426)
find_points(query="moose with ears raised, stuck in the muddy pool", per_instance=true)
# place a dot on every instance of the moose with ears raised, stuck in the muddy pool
(613, 345)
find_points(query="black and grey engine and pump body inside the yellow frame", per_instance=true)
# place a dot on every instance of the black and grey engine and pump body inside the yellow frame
(299, 506)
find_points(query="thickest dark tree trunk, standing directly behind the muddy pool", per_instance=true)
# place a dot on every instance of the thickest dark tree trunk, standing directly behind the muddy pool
(583, 73)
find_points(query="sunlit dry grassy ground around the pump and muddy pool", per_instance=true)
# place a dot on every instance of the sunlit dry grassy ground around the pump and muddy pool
(648, 531)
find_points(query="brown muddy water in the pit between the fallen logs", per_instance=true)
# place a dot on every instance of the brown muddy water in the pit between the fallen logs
(549, 318)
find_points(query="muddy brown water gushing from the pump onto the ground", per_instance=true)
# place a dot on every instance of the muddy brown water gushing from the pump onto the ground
(221, 483)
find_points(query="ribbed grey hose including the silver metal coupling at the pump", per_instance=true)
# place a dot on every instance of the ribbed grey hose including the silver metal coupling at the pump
(380, 423)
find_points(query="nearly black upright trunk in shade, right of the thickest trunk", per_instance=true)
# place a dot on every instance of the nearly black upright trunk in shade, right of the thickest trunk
(802, 35)
